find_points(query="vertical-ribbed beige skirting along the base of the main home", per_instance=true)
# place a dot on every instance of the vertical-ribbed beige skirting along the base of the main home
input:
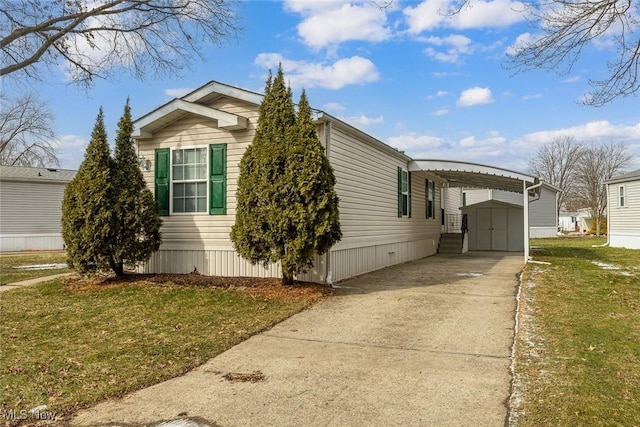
(344, 263)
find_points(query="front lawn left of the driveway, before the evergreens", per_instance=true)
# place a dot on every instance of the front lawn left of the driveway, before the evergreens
(69, 345)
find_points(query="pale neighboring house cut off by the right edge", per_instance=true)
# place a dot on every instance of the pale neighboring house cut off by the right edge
(623, 210)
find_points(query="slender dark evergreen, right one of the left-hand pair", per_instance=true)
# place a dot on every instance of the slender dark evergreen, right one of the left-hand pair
(136, 230)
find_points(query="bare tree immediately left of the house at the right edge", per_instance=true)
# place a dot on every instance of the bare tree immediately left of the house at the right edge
(598, 164)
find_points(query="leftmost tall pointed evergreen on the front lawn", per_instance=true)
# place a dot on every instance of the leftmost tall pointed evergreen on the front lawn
(87, 206)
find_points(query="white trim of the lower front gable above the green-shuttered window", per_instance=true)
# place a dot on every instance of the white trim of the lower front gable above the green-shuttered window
(144, 127)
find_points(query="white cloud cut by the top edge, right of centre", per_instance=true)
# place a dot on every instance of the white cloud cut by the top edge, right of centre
(432, 14)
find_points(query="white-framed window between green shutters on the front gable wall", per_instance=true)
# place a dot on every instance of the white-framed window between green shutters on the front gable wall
(189, 180)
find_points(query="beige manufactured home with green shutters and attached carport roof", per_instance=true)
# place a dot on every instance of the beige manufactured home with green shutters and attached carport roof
(390, 205)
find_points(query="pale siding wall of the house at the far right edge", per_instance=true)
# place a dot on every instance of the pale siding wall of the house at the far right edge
(624, 222)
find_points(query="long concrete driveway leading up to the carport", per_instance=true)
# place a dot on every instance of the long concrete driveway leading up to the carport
(427, 343)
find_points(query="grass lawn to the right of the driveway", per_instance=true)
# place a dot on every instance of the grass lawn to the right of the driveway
(578, 354)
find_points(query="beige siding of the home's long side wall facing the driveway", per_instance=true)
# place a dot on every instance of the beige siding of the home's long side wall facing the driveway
(373, 235)
